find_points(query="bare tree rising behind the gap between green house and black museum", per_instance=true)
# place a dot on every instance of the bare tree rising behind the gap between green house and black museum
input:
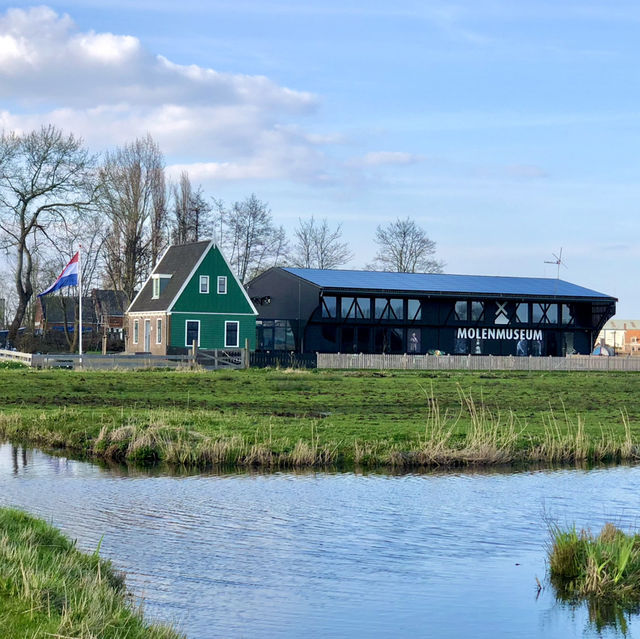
(249, 238)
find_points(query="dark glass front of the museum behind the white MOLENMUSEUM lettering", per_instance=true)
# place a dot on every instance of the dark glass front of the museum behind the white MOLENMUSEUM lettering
(417, 325)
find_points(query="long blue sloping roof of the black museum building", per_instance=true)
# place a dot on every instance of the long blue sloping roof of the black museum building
(437, 283)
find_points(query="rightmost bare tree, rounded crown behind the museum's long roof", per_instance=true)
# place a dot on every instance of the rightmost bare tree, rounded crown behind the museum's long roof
(405, 247)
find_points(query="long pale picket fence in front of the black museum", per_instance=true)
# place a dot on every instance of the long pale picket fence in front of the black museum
(478, 362)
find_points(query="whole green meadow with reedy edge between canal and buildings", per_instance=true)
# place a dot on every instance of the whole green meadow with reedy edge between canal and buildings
(276, 418)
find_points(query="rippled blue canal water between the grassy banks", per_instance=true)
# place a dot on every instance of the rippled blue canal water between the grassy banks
(333, 554)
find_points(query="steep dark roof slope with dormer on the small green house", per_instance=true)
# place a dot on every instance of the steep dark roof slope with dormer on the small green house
(178, 261)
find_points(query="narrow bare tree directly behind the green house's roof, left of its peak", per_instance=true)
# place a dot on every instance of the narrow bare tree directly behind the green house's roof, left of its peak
(191, 212)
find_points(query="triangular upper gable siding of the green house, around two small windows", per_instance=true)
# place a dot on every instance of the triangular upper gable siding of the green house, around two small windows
(191, 300)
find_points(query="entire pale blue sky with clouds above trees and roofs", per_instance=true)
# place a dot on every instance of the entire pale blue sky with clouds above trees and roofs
(506, 129)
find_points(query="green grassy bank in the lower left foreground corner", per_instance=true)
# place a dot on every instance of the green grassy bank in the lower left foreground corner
(50, 589)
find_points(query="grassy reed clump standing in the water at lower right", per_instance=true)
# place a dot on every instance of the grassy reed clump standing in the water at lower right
(606, 566)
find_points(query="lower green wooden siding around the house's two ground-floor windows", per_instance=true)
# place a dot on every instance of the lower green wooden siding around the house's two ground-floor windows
(212, 329)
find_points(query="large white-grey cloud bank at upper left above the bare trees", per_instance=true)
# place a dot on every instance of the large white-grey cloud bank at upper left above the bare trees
(109, 89)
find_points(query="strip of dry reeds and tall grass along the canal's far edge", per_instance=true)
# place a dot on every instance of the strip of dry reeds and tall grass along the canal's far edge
(473, 435)
